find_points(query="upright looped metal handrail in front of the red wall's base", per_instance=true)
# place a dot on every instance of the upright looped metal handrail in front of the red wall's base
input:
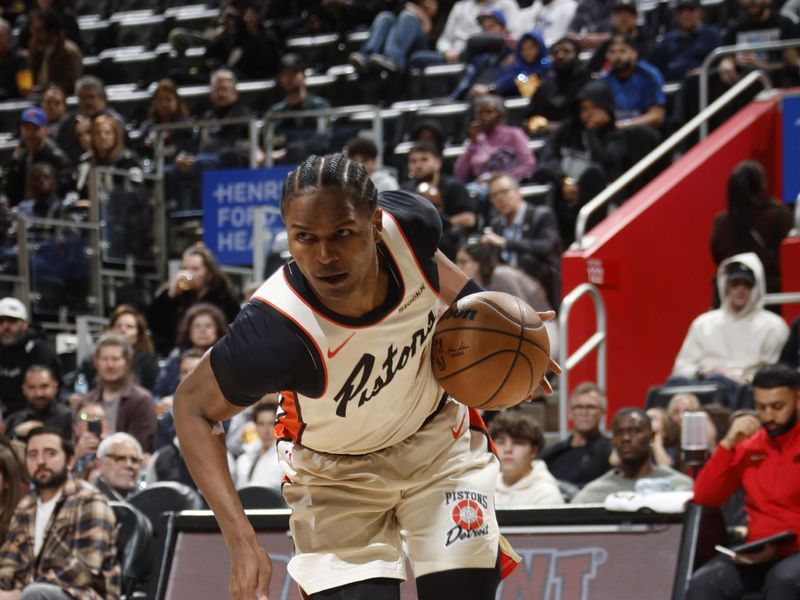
(568, 362)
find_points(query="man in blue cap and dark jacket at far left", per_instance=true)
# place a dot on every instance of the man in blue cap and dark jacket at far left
(35, 147)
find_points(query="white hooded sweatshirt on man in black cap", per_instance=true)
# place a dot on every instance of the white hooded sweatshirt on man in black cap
(736, 343)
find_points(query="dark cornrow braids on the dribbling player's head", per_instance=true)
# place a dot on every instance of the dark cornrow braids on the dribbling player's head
(331, 171)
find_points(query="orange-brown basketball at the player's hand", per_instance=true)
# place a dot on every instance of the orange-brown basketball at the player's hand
(490, 350)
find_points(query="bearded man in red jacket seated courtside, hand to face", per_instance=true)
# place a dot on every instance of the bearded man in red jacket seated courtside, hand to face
(762, 456)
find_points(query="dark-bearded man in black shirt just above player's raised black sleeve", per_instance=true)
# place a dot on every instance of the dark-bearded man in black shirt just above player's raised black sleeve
(457, 208)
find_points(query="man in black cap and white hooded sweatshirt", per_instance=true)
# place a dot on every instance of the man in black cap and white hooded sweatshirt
(729, 344)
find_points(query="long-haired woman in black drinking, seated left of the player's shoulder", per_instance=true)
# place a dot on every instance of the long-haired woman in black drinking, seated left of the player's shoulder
(199, 279)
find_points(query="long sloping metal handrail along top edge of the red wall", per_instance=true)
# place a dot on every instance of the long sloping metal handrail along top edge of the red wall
(662, 150)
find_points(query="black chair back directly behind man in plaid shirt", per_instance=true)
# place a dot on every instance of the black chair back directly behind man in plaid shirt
(134, 537)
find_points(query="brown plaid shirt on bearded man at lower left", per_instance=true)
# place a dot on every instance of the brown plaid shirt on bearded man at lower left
(78, 554)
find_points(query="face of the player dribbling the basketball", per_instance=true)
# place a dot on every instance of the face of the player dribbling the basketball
(333, 241)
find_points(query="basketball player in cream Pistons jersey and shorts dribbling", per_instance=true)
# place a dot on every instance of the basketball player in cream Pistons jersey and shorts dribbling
(375, 453)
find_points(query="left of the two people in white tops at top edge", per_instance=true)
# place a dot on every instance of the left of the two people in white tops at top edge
(461, 24)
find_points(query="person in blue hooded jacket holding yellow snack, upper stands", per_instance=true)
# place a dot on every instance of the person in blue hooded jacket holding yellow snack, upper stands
(523, 76)
